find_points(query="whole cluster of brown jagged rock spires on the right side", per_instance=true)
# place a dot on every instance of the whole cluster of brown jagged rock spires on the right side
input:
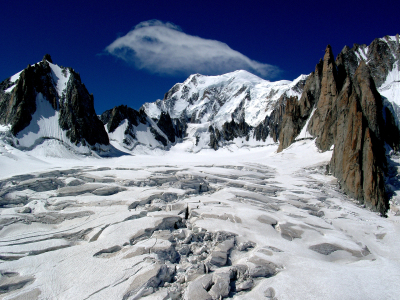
(348, 114)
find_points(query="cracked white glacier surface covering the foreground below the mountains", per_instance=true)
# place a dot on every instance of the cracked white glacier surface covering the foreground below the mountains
(267, 224)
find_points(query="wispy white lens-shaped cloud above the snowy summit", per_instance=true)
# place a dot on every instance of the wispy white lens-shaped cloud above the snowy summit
(164, 49)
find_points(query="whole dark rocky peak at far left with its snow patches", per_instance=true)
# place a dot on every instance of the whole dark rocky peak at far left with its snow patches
(69, 115)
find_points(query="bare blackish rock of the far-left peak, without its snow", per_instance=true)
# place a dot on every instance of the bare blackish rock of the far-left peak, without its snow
(77, 114)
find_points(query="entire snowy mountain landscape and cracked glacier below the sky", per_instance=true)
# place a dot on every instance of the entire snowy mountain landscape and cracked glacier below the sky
(231, 186)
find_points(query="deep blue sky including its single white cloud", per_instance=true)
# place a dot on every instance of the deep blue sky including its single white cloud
(131, 52)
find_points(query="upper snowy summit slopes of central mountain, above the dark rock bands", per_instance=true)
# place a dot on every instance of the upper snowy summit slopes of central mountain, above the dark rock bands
(216, 98)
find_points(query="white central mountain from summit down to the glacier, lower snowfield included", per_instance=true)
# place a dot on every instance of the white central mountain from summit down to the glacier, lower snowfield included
(204, 102)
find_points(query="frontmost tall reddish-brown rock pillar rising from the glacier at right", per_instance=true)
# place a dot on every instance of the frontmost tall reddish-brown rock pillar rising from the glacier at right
(358, 159)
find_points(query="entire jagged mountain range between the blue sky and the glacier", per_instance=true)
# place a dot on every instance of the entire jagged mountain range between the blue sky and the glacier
(350, 105)
